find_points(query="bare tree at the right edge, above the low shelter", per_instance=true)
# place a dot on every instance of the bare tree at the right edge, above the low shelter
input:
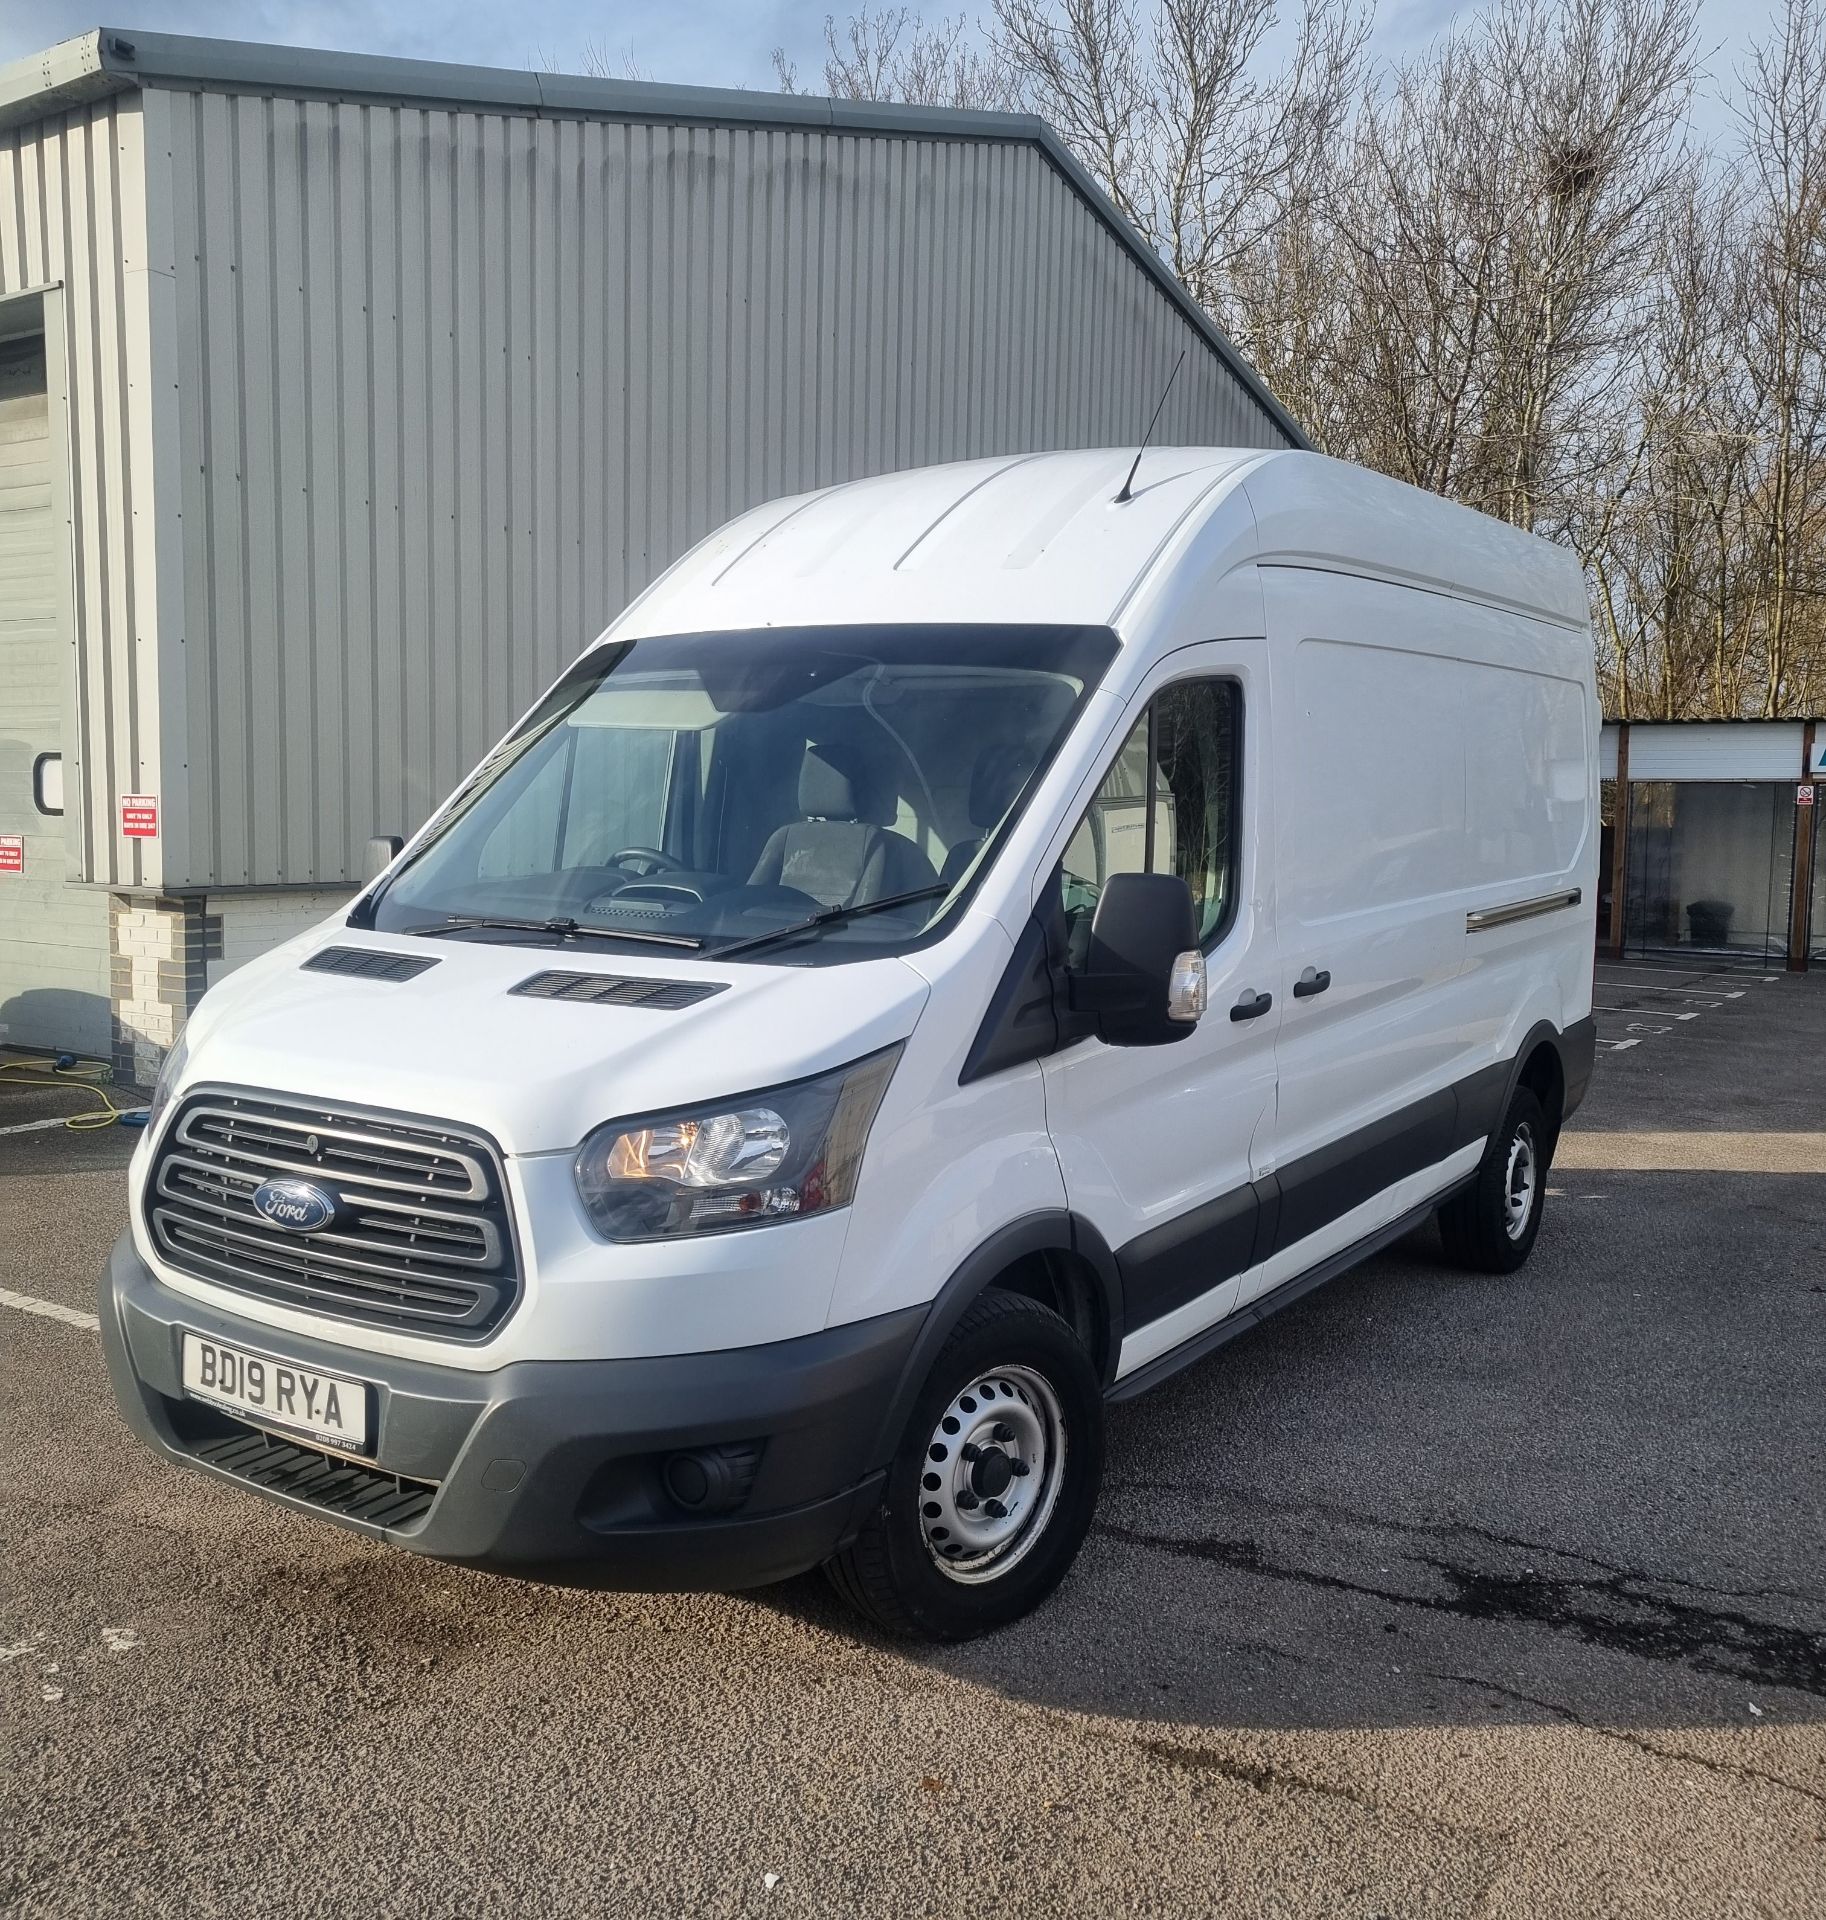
(1712, 571)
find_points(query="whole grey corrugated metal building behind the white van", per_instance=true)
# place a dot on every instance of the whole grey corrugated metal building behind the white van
(366, 393)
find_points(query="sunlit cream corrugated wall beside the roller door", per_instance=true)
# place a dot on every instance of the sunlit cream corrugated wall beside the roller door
(74, 216)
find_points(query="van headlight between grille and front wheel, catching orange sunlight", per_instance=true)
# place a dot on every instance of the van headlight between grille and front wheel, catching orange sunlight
(734, 1163)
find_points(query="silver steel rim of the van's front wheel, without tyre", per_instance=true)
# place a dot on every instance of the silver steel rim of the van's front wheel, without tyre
(1009, 1416)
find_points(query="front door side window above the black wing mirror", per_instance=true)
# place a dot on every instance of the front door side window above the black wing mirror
(1168, 805)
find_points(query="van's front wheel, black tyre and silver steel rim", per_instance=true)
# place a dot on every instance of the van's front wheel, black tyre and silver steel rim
(994, 1485)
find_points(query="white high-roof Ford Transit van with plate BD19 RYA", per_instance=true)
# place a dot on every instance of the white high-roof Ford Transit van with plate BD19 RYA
(957, 951)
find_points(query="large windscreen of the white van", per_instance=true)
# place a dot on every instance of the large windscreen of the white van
(811, 794)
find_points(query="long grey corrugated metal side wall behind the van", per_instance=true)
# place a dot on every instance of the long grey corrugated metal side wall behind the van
(452, 387)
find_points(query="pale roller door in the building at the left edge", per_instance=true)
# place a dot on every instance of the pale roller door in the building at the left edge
(53, 936)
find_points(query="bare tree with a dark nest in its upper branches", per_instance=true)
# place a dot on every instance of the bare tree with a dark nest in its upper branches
(1502, 208)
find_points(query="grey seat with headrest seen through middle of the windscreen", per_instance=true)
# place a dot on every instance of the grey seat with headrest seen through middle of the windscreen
(842, 852)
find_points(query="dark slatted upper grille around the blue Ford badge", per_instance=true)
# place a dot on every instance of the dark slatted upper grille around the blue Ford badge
(421, 1237)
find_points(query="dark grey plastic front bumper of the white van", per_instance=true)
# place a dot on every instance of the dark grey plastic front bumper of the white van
(550, 1464)
